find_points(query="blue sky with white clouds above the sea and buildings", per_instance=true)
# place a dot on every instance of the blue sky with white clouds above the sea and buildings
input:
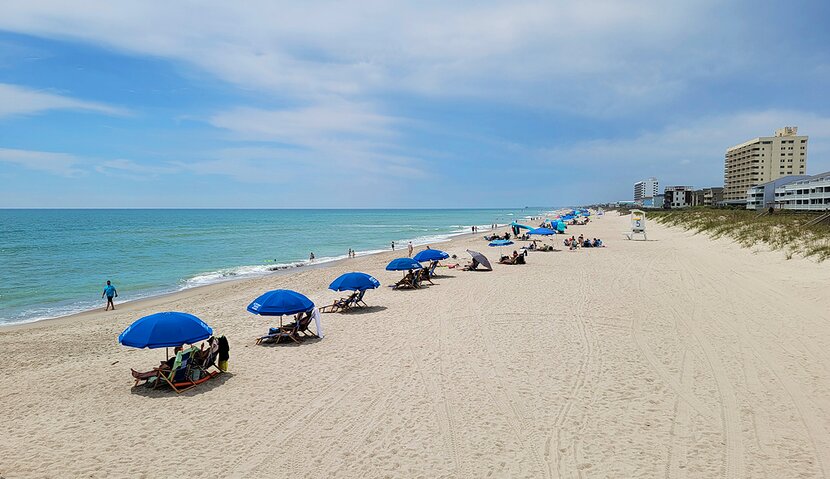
(395, 104)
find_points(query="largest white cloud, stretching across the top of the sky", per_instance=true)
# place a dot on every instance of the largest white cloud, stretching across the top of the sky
(594, 58)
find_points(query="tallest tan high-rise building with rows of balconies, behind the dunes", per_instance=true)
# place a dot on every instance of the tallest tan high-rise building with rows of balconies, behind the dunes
(763, 159)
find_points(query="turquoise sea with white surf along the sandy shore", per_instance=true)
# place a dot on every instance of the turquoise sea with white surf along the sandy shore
(55, 262)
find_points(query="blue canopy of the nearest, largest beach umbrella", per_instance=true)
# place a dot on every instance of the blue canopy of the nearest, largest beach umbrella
(164, 330)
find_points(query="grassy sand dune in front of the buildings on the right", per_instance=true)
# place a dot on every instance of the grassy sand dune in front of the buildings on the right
(785, 231)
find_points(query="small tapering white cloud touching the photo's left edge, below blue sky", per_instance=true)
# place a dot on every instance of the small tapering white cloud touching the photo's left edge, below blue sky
(17, 100)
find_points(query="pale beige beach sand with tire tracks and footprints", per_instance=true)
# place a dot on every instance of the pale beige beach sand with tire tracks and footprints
(674, 357)
